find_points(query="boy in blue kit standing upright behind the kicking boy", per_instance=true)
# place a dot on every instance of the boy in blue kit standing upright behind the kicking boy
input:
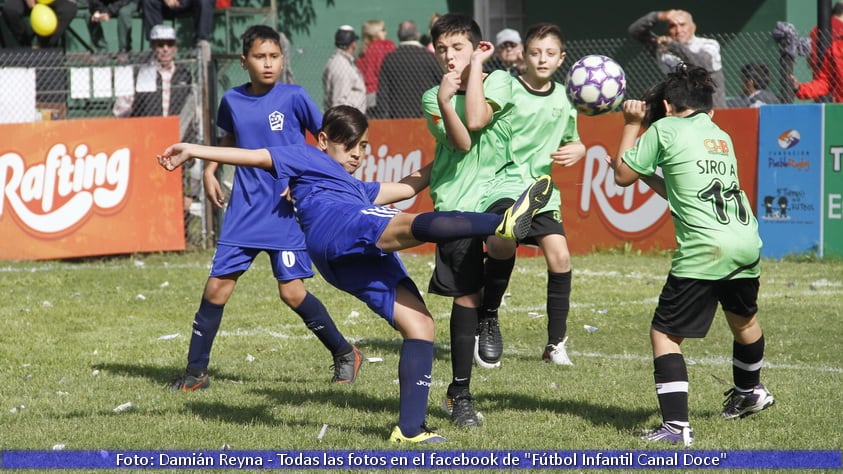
(258, 114)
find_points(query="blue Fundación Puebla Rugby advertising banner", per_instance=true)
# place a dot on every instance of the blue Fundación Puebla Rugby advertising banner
(789, 179)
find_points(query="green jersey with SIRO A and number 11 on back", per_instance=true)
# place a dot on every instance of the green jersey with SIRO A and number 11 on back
(716, 231)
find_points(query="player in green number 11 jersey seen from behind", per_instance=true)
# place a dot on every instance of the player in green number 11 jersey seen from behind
(718, 246)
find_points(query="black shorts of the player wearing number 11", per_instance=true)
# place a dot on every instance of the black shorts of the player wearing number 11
(687, 305)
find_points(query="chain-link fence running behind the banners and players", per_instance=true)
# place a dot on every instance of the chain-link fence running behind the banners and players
(55, 85)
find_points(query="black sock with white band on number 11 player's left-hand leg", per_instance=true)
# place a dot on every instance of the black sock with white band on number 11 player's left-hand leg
(671, 378)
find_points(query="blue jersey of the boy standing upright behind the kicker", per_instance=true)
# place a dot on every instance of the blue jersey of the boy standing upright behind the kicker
(257, 216)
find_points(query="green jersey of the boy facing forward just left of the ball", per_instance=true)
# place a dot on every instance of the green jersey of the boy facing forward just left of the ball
(541, 122)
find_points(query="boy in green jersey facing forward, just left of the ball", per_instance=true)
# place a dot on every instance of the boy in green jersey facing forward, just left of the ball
(544, 133)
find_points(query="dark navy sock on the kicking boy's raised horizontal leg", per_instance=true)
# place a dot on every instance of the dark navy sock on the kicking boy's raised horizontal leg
(445, 226)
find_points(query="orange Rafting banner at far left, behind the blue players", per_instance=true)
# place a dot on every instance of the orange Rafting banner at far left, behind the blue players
(74, 188)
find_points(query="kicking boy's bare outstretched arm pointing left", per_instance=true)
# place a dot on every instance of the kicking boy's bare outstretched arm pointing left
(175, 156)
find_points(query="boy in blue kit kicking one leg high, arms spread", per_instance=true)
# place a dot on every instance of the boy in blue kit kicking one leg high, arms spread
(353, 238)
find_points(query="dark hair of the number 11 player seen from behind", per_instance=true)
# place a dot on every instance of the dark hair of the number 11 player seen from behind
(687, 87)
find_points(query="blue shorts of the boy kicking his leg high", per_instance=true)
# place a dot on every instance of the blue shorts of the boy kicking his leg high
(345, 251)
